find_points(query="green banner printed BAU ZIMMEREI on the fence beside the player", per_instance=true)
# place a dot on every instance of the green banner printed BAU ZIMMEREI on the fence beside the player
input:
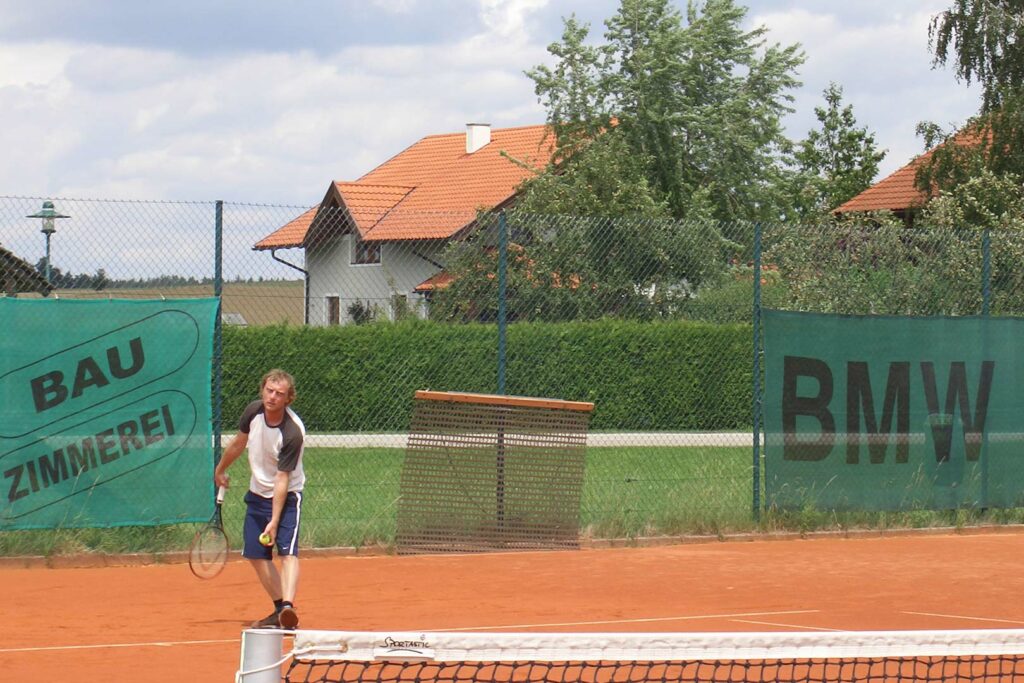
(106, 411)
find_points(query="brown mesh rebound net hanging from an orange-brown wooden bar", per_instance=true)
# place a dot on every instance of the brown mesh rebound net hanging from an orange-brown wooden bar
(492, 473)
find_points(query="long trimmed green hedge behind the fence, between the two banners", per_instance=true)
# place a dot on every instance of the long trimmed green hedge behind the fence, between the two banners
(642, 376)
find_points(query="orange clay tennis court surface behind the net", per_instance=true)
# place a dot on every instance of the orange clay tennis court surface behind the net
(158, 623)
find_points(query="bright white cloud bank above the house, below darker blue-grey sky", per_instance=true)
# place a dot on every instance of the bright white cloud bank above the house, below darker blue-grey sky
(270, 126)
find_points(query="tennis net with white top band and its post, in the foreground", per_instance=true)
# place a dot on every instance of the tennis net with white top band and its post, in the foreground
(858, 657)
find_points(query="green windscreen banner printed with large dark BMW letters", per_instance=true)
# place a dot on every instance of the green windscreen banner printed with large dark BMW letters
(889, 413)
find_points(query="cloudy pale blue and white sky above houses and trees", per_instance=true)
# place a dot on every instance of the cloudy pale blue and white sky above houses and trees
(268, 103)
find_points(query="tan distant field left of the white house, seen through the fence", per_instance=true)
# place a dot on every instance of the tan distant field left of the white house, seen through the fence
(258, 304)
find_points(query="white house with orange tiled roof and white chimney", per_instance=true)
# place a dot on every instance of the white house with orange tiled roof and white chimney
(378, 242)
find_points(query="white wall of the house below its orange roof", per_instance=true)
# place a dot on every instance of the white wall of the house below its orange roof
(401, 270)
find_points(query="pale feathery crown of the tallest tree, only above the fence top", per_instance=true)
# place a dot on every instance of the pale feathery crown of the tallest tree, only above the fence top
(699, 105)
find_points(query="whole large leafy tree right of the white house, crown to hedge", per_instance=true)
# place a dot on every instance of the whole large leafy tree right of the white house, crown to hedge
(664, 131)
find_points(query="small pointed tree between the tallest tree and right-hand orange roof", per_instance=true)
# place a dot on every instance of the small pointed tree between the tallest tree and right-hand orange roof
(837, 161)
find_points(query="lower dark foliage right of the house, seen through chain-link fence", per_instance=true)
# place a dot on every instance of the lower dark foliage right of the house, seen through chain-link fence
(580, 268)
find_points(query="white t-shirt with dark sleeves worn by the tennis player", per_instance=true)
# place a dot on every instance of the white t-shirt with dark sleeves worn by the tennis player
(273, 450)
